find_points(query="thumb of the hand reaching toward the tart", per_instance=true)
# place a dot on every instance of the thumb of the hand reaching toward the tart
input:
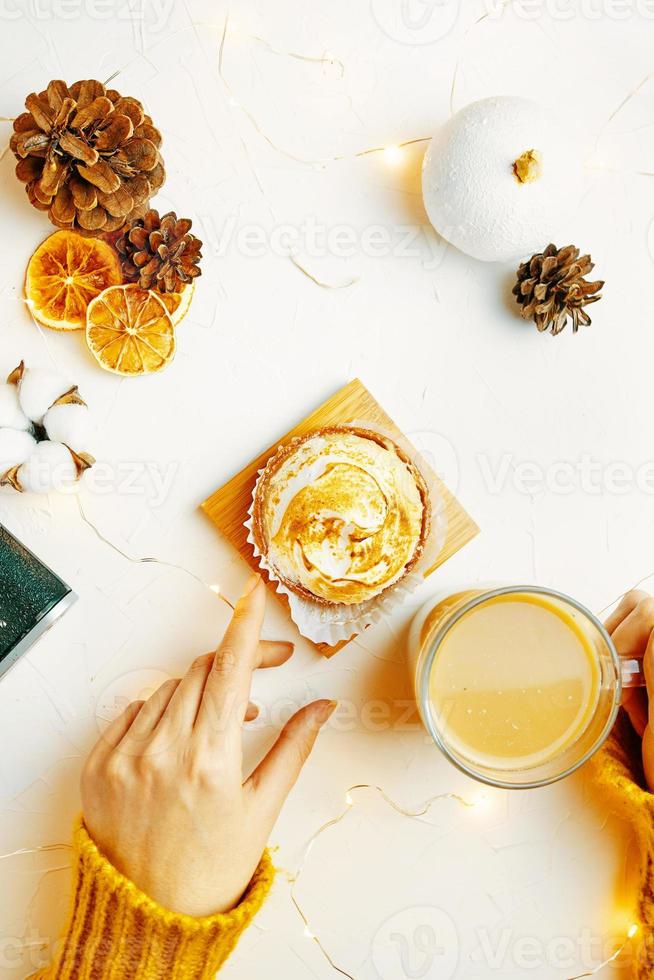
(276, 775)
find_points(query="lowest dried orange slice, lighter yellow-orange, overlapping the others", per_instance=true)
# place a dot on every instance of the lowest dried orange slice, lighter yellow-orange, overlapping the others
(129, 331)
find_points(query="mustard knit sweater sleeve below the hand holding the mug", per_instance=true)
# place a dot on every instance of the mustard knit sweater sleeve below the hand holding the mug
(619, 771)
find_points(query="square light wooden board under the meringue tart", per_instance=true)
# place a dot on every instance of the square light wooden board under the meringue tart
(228, 507)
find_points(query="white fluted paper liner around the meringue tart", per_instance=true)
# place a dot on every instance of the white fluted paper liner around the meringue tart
(335, 622)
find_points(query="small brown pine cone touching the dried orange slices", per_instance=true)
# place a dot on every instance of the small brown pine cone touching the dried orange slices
(160, 253)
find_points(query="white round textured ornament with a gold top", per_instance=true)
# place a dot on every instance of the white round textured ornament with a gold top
(499, 178)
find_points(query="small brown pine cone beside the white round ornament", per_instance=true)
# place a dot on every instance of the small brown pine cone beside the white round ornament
(551, 287)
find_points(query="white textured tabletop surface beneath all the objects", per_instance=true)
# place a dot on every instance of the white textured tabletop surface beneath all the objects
(531, 884)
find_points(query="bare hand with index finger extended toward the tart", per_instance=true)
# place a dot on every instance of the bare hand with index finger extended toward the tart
(163, 791)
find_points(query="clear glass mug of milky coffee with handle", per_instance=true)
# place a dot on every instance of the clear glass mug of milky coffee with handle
(517, 685)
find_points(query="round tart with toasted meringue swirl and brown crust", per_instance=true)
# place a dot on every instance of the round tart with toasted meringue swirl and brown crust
(343, 516)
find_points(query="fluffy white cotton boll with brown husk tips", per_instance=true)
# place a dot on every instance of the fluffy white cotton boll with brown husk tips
(41, 419)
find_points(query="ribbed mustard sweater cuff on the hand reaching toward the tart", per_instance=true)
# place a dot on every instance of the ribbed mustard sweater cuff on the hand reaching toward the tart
(115, 932)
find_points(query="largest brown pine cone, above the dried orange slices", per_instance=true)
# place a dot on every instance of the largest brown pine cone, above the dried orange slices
(88, 156)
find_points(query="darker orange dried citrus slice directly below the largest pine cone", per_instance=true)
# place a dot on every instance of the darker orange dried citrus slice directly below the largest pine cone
(65, 273)
